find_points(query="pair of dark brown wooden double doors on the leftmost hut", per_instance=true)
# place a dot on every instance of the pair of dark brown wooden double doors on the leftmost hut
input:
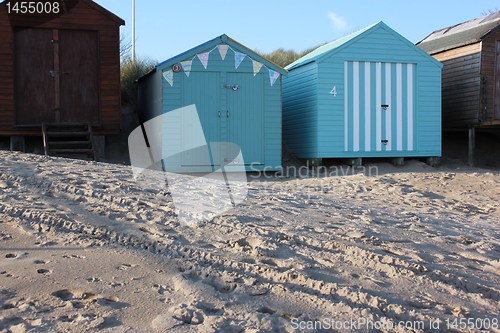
(56, 76)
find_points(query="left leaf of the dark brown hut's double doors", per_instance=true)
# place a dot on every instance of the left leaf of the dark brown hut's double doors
(34, 76)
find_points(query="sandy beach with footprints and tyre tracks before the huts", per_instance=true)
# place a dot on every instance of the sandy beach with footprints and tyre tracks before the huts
(83, 247)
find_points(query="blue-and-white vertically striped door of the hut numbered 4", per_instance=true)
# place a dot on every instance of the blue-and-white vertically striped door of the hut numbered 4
(379, 106)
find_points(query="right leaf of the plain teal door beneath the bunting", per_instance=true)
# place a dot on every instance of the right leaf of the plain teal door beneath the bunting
(245, 116)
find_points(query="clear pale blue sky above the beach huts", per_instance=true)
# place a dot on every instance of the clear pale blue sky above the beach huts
(167, 28)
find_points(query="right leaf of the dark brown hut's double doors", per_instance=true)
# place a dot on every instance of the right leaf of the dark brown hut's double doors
(79, 84)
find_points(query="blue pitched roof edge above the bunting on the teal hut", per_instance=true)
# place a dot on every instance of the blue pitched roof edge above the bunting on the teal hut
(224, 39)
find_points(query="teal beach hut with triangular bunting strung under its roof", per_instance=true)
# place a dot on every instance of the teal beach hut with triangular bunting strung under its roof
(237, 96)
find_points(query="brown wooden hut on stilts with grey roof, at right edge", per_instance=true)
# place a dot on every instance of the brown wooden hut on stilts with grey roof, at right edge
(470, 53)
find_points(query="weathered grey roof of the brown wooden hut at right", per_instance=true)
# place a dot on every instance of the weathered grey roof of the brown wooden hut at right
(462, 34)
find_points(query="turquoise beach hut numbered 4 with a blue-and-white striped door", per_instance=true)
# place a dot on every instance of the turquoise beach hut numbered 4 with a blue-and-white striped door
(369, 94)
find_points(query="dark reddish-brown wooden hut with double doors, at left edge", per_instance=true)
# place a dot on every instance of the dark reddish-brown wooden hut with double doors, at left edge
(59, 64)
